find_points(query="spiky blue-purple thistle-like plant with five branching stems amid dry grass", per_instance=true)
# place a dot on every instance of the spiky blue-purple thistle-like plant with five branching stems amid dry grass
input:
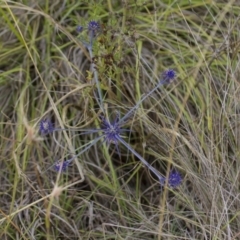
(111, 132)
